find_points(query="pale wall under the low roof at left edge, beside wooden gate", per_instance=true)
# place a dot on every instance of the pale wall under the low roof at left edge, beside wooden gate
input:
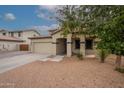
(9, 46)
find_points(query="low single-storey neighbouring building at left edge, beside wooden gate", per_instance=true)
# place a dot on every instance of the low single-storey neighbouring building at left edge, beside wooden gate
(8, 43)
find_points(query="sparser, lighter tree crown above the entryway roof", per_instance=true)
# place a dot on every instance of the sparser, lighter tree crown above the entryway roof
(73, 19)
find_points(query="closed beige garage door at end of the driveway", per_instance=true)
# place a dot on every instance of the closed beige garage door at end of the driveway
(44, 48)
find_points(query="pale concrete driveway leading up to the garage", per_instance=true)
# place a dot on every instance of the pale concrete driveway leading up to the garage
(12, 60)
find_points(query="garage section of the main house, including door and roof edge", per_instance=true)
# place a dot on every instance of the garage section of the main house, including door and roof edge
(42, 45)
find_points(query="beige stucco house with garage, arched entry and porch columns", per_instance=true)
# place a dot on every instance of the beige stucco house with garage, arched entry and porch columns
(57, 44)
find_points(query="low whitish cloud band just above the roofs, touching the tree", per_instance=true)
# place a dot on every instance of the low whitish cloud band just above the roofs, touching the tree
(43, 29)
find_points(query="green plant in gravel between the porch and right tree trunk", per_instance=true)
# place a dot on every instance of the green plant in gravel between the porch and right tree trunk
(103, 53)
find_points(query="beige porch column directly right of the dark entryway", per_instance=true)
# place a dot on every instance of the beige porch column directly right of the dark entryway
(69, 45)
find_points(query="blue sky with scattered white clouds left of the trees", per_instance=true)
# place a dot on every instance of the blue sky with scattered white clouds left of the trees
(26, 17)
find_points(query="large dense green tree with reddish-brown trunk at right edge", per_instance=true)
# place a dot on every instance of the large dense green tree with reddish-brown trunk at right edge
(107, 24)
